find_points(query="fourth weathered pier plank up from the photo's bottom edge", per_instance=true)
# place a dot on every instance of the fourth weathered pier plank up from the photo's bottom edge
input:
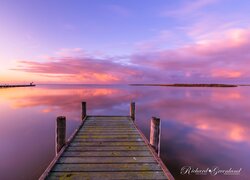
(107, 153)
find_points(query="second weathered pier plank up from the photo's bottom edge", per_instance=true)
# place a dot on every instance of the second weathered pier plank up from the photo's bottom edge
(106, 167)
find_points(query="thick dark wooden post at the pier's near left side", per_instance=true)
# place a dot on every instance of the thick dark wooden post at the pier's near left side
(60, 132)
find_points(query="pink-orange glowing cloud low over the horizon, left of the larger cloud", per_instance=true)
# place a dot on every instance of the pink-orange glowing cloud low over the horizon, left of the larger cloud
(84, 70)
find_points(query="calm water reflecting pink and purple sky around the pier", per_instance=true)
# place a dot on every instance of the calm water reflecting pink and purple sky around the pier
(201, 127)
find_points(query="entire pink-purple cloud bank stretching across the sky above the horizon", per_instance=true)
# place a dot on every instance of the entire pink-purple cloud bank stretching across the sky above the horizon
(224, 60)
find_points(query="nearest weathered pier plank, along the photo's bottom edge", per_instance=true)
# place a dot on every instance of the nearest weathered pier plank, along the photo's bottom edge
(108, 175)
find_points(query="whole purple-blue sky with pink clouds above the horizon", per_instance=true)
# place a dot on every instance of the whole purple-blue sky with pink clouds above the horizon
(95, 41)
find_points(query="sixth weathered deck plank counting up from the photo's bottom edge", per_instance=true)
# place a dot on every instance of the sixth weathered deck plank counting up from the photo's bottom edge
(135, 143)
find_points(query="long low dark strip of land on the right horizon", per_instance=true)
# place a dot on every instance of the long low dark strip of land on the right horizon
(188, 85)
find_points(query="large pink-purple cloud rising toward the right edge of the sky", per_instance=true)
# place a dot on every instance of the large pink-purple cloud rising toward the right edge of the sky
(225, 59)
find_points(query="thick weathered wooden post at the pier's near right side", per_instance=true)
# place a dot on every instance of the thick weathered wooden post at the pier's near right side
(155, 133)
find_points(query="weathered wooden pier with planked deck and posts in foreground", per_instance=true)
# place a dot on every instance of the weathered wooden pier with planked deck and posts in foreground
(106, 147)
